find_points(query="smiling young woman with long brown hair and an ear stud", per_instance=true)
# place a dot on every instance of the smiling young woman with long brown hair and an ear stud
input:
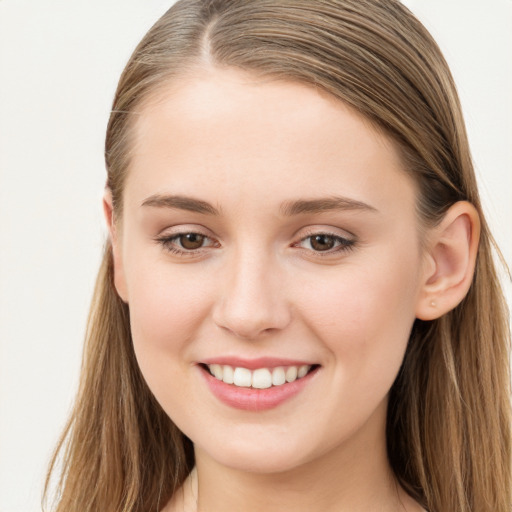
(298, 307)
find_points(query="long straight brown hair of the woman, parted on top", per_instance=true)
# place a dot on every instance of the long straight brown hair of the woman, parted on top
(448, 426)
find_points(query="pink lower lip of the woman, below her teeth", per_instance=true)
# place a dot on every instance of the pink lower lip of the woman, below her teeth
(250, 399)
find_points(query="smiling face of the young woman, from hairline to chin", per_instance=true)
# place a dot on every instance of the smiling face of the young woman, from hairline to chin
(269, 237)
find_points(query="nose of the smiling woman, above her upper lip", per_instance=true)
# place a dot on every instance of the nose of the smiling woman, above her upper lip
(252, 299)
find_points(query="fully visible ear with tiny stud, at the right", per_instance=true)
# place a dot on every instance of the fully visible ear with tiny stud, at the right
(450, 261)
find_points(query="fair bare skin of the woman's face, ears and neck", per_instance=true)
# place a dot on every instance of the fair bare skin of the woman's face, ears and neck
(257, 287)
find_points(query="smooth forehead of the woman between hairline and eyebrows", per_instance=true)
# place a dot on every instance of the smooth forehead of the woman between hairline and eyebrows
(230, 134)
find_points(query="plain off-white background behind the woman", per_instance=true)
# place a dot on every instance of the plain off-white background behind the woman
(59, 63)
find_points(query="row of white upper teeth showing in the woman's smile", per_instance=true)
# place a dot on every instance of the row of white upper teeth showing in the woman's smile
(261, 378)
